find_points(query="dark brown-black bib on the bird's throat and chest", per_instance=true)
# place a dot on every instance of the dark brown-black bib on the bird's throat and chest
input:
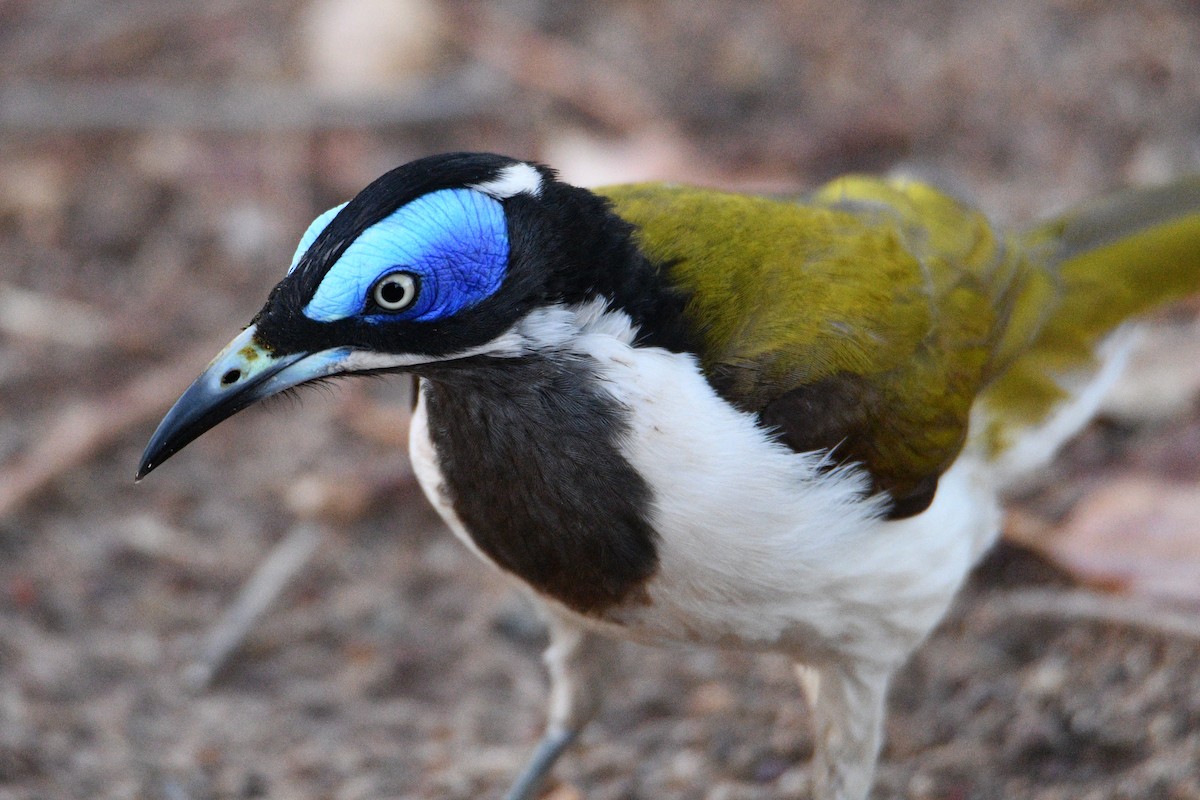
(529, 453)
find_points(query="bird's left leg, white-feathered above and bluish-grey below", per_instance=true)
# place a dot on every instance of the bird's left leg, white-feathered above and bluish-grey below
(577, 660)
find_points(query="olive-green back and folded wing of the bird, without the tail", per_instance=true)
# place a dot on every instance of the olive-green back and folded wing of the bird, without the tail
(865, 321)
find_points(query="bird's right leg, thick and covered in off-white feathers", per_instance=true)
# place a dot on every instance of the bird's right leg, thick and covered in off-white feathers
(848, 706)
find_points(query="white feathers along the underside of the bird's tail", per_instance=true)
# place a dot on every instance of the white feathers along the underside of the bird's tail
(1035, 448)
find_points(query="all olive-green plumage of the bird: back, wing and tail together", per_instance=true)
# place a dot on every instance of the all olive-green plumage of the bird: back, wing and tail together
(872, 316)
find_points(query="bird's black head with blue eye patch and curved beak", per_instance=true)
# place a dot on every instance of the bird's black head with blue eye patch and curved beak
(443, 261)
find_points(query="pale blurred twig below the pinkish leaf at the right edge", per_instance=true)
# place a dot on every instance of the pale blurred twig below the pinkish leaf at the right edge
(1082, 606)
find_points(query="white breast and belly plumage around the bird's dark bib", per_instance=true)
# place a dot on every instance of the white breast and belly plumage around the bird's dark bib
(758, 545)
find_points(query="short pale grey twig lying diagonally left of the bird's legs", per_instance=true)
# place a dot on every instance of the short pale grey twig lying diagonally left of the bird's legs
(289, 557)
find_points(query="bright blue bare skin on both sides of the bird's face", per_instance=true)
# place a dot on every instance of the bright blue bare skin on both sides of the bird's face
(457, 242)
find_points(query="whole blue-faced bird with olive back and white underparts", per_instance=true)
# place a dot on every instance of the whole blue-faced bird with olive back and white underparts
(677, 414)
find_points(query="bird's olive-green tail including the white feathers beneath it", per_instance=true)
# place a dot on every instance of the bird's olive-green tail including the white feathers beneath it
(1102, 264)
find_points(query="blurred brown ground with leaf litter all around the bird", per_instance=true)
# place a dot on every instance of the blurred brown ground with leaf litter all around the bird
(160, 159)
